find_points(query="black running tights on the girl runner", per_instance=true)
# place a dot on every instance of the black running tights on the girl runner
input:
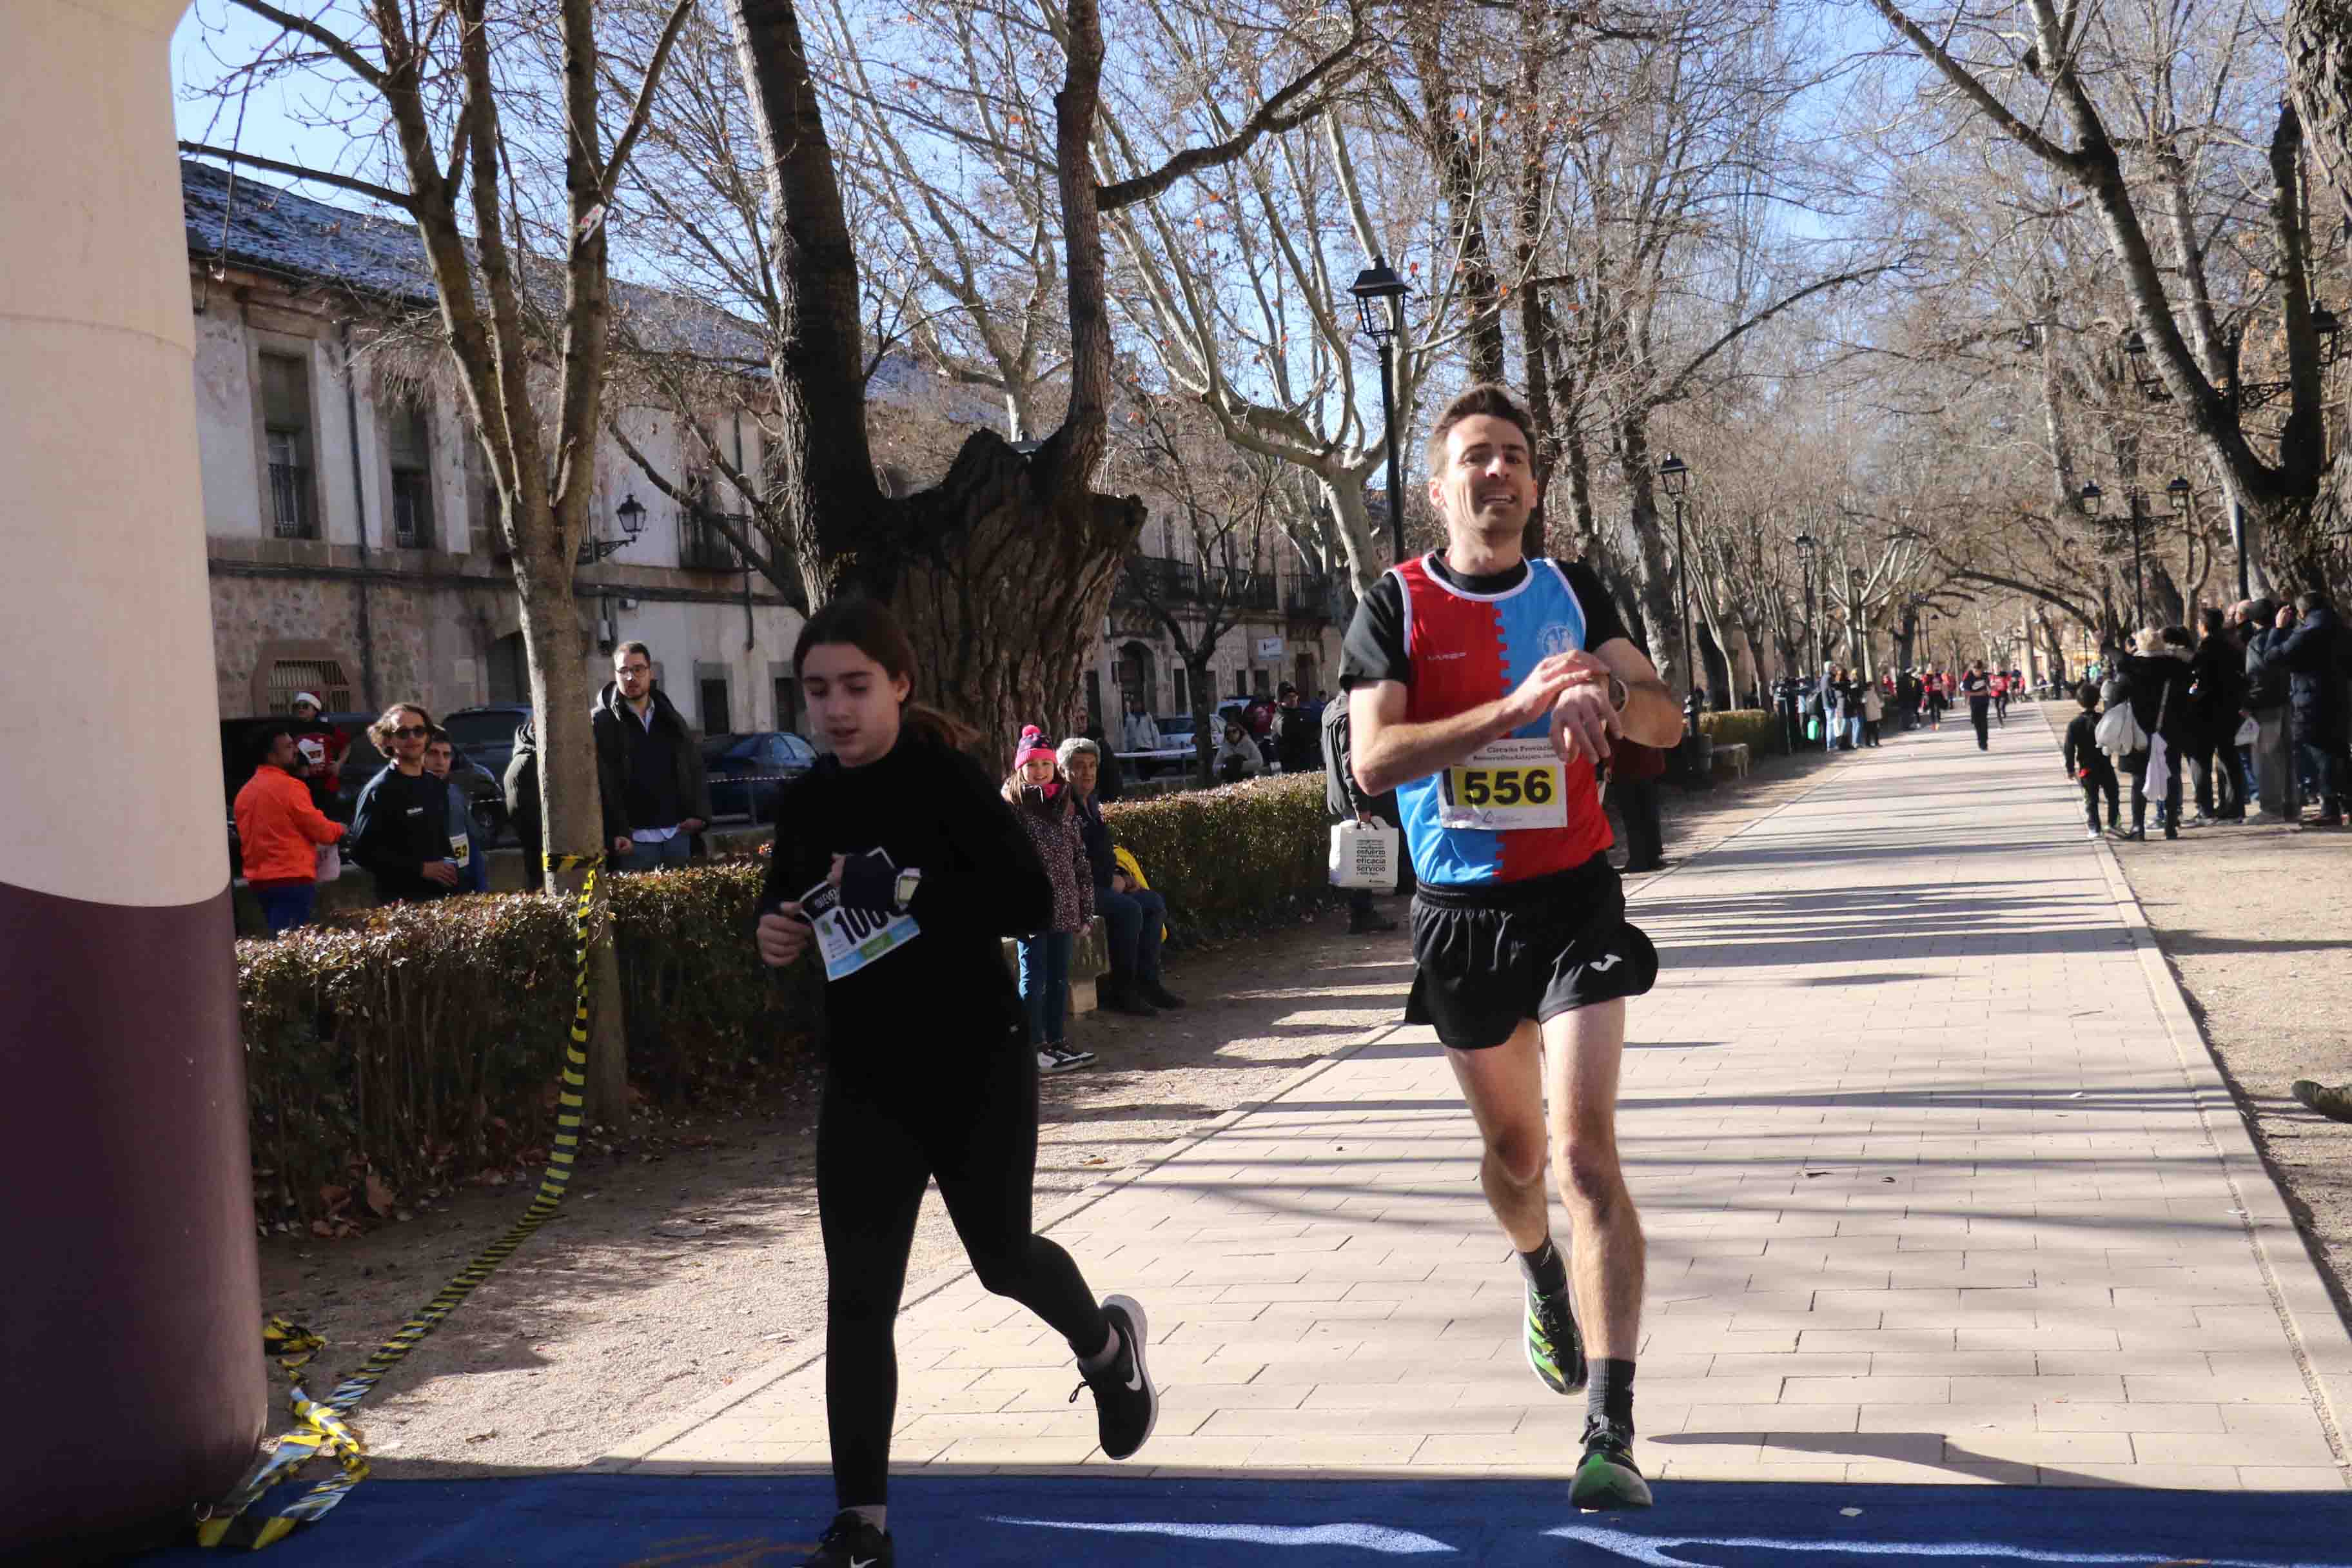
(881, 1134)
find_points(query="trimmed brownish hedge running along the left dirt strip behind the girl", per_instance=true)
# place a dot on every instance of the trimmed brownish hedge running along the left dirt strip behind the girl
(417, 1047)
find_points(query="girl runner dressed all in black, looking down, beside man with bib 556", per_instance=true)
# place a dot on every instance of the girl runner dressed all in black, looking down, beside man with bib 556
(900, 862)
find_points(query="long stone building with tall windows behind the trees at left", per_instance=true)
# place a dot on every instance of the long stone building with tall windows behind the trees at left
(354, 544)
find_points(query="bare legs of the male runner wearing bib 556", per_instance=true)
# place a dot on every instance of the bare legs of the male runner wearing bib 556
(1575, 1066)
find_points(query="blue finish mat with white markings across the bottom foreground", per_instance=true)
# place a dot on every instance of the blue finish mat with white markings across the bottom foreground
(1064, 1522)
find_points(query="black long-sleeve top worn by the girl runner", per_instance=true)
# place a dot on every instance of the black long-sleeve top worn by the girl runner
(933, 810)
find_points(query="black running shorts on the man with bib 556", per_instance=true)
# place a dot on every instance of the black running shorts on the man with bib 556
(1495, 956)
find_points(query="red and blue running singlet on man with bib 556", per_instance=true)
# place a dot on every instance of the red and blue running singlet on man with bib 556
(1514, 810)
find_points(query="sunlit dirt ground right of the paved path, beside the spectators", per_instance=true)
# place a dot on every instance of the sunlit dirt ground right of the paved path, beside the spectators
(2257, 925)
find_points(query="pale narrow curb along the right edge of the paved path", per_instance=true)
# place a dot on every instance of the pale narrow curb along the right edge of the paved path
(2297, 1292)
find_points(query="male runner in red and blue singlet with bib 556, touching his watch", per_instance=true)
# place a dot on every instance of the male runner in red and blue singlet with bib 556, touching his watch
(1483, 688)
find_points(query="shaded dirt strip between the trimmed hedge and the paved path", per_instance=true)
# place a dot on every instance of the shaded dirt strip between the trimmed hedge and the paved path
(693, 1257)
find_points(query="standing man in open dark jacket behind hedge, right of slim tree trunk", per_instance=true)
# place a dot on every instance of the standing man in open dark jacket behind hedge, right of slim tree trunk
(648, 768)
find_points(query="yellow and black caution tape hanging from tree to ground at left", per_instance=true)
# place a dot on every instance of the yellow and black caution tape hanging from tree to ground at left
(321, 1421)
